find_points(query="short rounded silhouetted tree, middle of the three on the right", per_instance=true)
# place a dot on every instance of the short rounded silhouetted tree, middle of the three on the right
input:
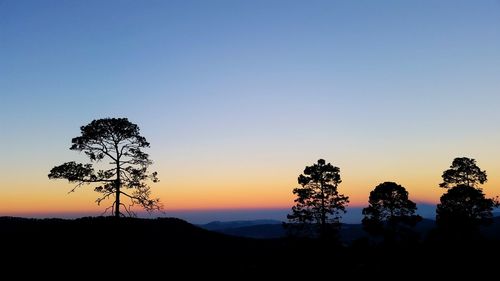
(390, 213)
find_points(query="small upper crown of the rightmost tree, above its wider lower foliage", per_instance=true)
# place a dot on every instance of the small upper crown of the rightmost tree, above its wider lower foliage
(463, 171)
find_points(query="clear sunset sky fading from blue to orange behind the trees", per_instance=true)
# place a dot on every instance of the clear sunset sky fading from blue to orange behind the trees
(237, 97)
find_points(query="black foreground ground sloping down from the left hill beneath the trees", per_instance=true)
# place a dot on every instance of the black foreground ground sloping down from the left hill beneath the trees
(166, 247)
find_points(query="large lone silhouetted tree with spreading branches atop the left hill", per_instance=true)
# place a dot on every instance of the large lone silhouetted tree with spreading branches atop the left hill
(117, 140)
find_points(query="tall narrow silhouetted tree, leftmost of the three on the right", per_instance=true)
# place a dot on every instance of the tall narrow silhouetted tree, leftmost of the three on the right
(319, 206)
